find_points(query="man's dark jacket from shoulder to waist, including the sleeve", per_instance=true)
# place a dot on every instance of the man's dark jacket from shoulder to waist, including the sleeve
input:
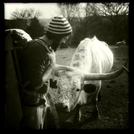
(33, 63)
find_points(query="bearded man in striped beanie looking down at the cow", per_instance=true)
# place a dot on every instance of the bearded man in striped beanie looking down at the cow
(36, 65)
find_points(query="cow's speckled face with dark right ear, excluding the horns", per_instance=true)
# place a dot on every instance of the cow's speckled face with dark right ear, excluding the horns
(72, 89)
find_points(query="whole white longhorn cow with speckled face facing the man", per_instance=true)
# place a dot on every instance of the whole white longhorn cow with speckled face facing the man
(91, 63)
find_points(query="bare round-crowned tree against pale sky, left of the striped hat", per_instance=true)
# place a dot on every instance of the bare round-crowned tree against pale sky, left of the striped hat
(30, 18)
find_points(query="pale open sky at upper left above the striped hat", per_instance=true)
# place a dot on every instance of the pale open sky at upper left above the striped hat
(48, 10)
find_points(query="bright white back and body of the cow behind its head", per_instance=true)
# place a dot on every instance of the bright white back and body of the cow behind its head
(93, 56)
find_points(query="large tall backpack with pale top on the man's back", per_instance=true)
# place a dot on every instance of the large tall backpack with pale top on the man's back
(15, 41)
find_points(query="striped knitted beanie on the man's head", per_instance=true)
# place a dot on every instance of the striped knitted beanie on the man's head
(59, 25)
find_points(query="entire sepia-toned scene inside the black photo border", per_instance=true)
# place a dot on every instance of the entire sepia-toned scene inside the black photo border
(66, 65)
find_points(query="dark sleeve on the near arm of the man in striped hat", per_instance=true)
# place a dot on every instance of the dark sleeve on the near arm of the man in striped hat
(38, 62)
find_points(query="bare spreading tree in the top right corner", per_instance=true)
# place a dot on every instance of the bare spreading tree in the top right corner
(116, 13)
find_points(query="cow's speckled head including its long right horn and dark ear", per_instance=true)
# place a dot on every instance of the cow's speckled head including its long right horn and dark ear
(72, 88)
